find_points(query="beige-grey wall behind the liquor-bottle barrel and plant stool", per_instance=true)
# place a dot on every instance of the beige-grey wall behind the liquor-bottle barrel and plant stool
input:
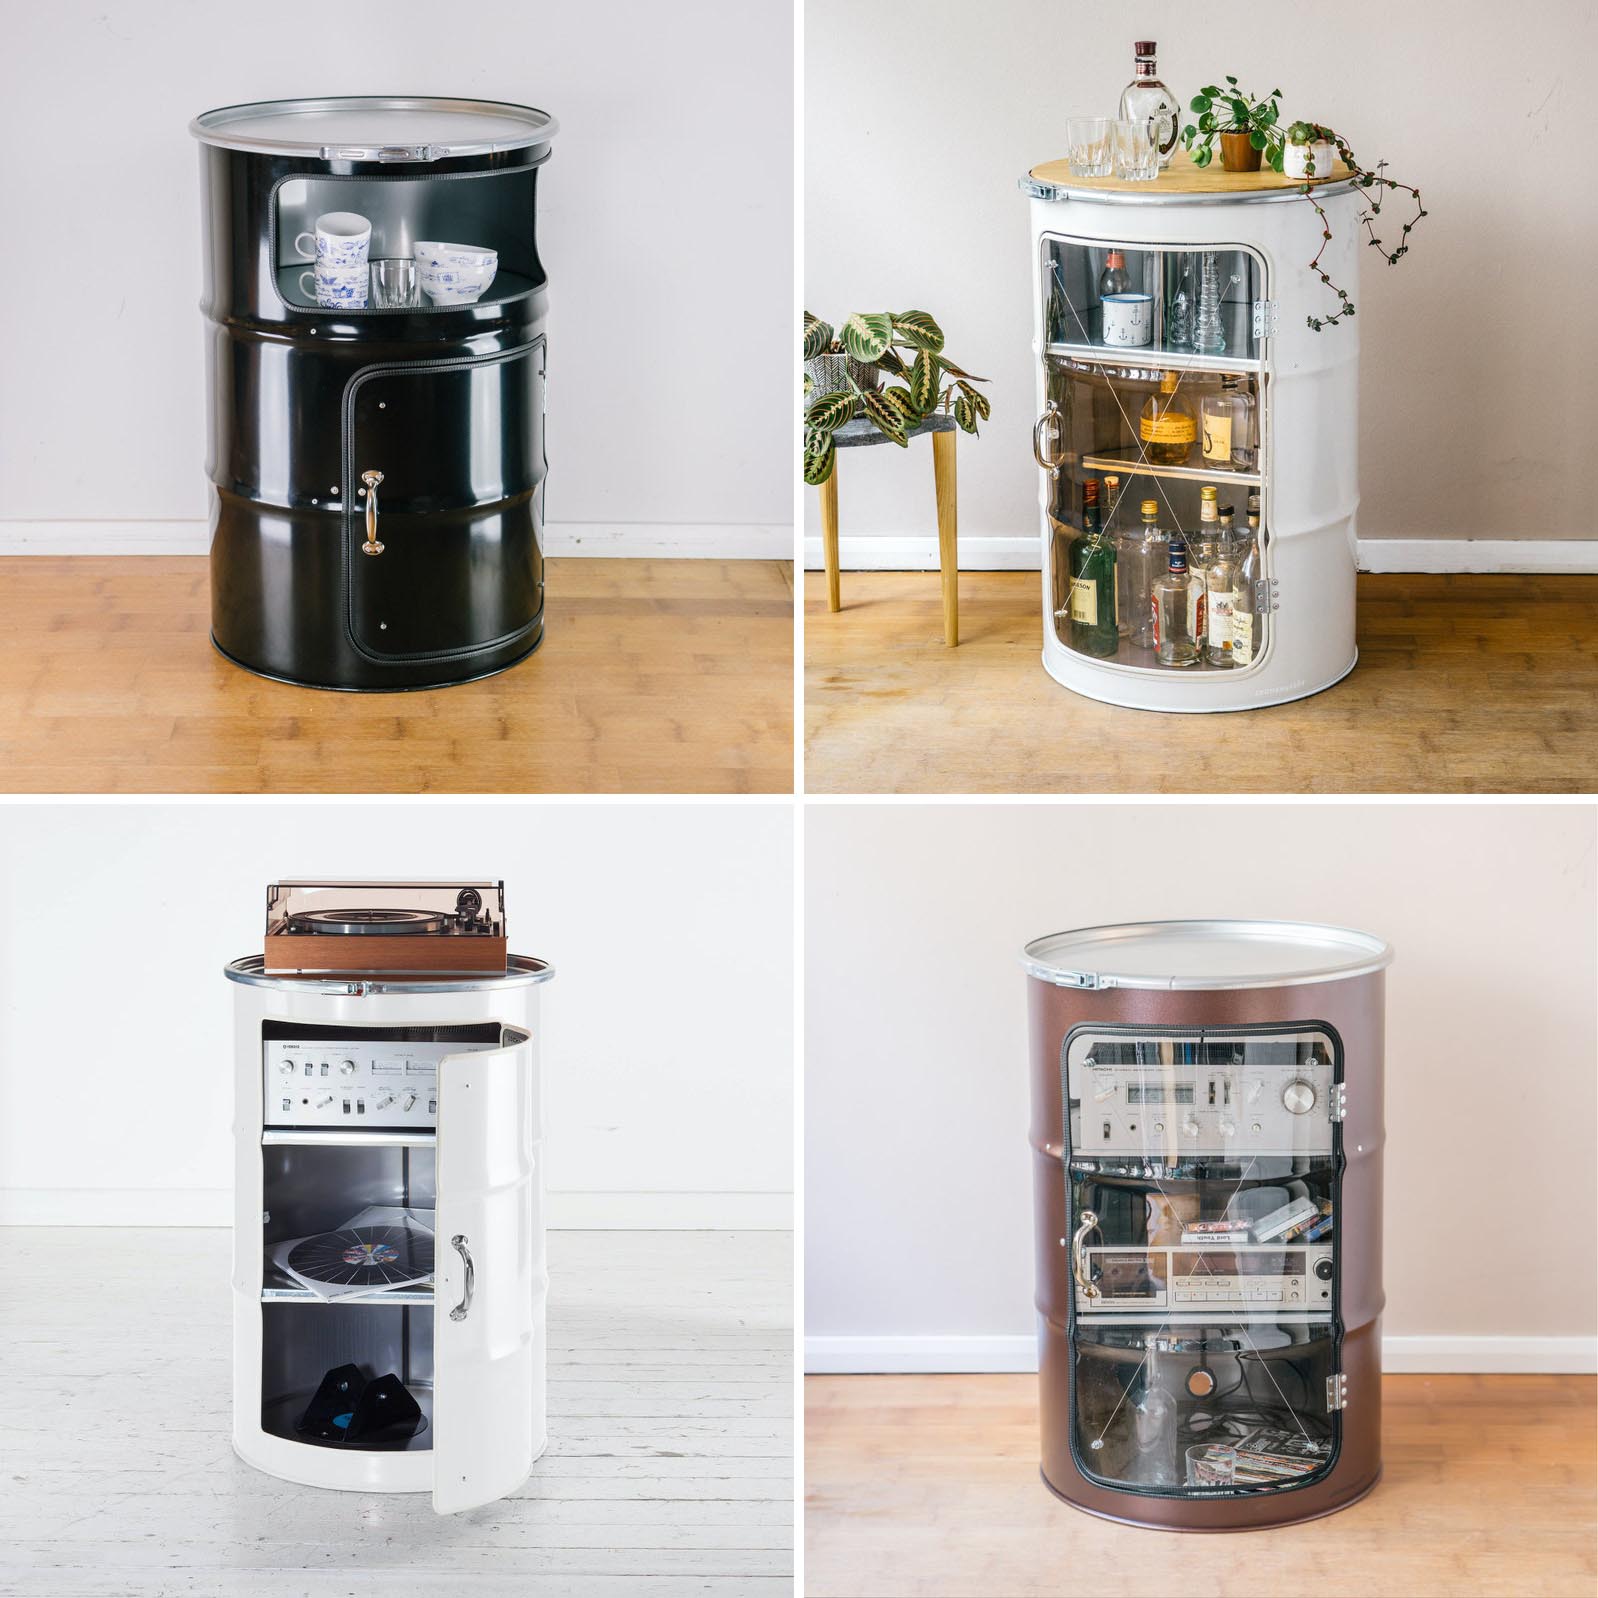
(1473, 424)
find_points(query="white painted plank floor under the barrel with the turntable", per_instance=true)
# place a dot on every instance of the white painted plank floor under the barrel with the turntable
(670, 1466)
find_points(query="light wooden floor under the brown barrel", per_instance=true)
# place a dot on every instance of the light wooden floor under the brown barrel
(928, 1485)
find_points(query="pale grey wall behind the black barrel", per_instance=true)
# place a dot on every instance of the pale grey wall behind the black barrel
(666, 226)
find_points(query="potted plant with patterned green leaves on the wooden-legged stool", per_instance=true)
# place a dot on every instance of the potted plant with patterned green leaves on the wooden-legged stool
(843, 380)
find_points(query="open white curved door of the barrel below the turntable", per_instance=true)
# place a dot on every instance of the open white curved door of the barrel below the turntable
(488, 1410)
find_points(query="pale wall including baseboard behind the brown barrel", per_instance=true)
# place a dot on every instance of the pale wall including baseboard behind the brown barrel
(918, 1172)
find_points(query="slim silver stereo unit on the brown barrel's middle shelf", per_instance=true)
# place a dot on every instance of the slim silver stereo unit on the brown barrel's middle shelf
(1201, 1281)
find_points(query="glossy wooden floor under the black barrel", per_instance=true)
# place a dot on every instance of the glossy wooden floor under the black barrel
(656, 677)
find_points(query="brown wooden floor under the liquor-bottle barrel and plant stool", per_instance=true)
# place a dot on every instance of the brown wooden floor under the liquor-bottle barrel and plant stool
(1466, 685)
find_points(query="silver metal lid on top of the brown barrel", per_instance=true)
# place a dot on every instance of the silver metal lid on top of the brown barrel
(1204, 955)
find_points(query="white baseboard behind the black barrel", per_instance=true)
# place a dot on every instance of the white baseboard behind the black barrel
(621, 541)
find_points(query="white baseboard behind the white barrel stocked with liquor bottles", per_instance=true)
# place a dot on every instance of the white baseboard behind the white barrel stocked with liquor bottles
(1377, 555)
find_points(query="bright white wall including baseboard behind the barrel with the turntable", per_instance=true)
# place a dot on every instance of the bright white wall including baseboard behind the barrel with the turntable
(667, 1032)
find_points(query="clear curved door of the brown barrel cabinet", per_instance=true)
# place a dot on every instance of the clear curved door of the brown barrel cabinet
(1204, 1185)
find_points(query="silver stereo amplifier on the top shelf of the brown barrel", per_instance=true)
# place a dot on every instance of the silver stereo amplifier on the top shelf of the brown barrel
(1174, 1102)
